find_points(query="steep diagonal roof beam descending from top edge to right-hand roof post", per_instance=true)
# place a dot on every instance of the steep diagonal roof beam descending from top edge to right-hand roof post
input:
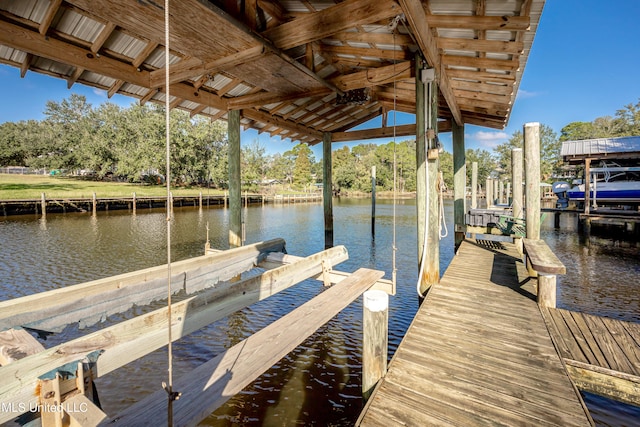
(417, 18)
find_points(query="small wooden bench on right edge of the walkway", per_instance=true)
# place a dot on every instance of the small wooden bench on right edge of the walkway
(540, 259)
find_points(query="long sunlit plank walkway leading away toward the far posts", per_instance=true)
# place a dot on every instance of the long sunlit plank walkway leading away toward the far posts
(478, 353)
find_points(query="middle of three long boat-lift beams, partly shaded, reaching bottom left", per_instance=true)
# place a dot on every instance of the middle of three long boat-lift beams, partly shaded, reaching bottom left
(129, 340)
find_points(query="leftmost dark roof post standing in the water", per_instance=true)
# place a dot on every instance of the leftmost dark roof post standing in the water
(235, 194)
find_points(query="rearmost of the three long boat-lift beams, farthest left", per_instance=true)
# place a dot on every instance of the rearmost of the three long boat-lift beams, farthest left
(99, 298)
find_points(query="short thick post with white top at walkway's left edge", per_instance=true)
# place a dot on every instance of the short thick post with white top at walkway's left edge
(375, 339)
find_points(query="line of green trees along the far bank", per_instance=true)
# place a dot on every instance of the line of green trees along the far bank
(111, 142)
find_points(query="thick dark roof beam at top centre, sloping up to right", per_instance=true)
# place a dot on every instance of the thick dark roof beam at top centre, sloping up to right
(315, 26)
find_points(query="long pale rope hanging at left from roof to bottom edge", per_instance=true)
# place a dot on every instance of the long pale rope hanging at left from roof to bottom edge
(171, 395)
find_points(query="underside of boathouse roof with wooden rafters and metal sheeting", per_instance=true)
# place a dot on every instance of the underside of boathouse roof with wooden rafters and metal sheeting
(294, 68)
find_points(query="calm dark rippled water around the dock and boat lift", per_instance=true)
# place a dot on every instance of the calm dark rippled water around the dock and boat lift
(319, 382)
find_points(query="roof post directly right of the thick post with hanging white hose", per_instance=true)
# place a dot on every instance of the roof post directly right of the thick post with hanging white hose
(459, 183)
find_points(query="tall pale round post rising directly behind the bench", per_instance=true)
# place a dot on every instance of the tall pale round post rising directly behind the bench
(532, 178)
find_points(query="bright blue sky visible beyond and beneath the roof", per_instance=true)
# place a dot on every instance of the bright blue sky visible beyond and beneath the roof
(584, 64)
